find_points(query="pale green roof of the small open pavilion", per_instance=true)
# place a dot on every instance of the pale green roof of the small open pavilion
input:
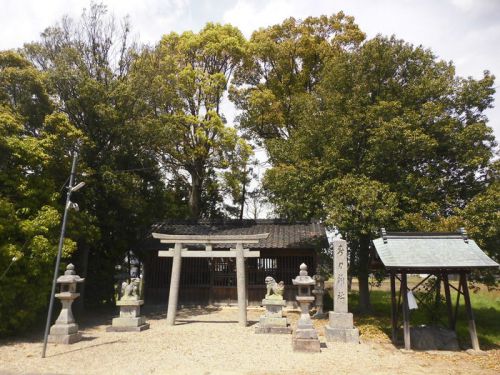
(430, 250)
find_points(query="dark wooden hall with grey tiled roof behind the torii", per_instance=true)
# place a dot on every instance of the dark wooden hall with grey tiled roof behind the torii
(207, 280)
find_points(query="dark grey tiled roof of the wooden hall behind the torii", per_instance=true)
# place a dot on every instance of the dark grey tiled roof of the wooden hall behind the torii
(281, 234)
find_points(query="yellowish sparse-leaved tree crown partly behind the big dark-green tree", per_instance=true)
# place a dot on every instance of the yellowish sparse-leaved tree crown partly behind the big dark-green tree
(274, 86)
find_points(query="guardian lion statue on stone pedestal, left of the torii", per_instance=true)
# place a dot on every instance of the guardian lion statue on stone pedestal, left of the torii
(130, 319)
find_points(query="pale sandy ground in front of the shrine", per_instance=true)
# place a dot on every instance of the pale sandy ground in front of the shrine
(210, 341)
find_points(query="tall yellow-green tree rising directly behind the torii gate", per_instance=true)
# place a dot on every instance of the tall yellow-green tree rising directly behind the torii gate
(180, 85)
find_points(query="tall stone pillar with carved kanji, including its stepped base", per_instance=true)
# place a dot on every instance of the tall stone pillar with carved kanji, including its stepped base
(340, 326)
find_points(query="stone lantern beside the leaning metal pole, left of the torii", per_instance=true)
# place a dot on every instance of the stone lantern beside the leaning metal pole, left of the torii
(65, 330)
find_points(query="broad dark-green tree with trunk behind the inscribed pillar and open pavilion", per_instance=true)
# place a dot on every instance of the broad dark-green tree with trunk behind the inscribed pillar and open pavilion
(386, 132)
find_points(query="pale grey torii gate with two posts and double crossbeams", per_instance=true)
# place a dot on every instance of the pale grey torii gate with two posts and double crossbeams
(178, 252)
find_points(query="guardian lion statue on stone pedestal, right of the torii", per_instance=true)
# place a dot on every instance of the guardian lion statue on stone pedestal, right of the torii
(273, 320)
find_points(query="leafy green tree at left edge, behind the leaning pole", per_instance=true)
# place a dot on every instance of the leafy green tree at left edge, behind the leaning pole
(35, 143)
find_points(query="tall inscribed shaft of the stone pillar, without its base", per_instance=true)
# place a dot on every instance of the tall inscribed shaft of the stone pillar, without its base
(340, 275)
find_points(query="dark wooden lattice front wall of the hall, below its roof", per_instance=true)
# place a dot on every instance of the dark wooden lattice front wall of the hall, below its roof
(214, 282)
